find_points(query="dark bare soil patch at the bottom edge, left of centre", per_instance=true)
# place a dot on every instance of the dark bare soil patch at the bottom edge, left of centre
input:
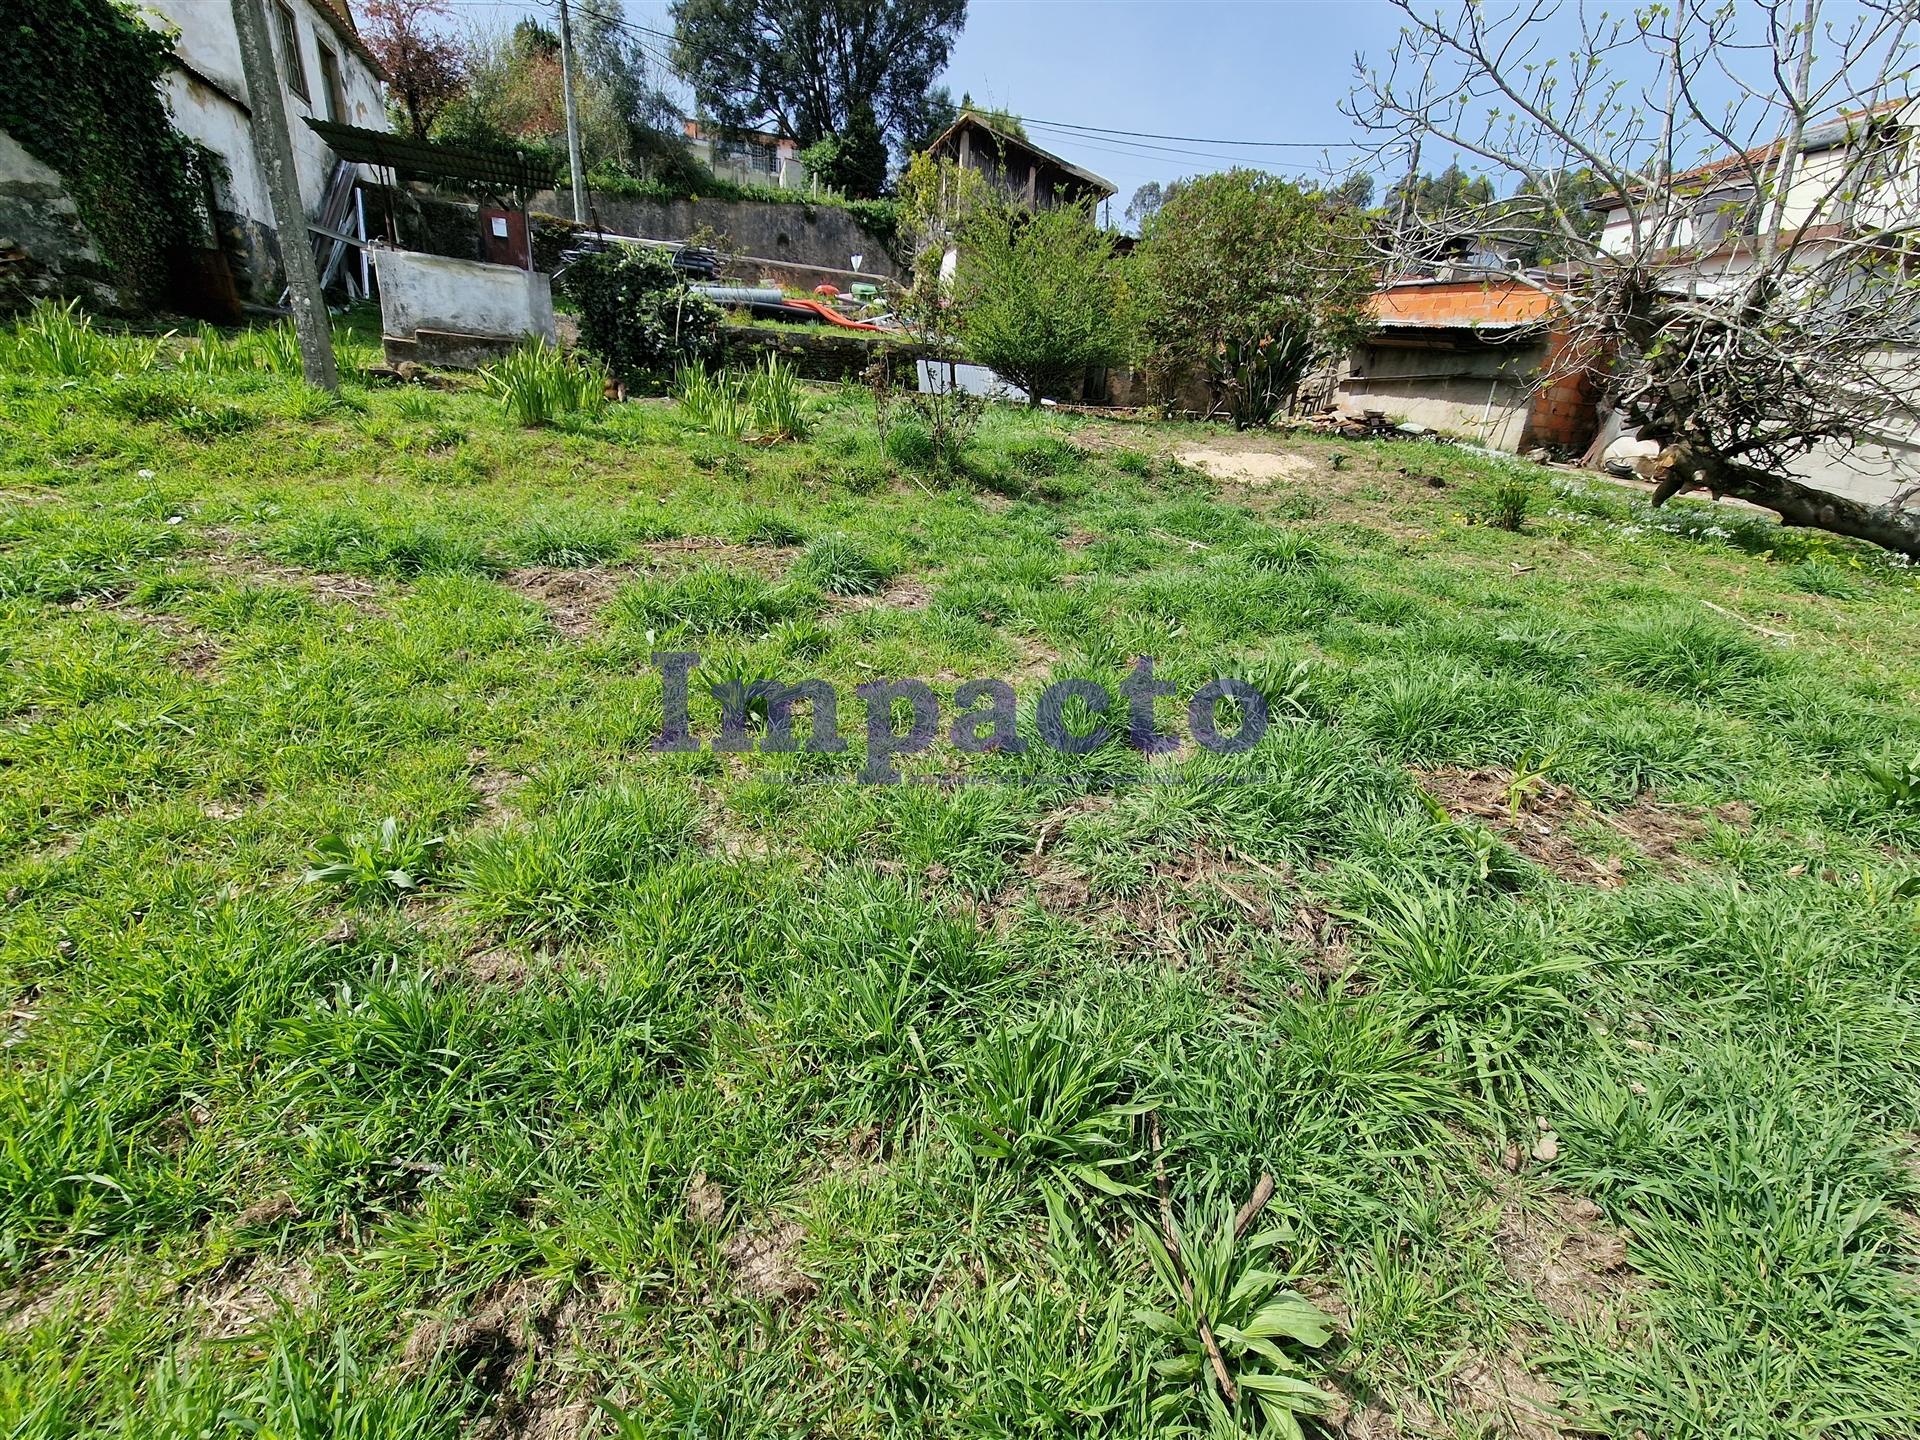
(514, 1343)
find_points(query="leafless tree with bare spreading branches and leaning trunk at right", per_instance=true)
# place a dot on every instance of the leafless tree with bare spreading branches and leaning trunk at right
(1756, 291)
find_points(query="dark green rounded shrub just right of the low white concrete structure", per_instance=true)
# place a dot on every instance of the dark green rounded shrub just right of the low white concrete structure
(638, 316)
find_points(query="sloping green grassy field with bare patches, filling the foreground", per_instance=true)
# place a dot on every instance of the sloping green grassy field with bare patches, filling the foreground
(398, 1047)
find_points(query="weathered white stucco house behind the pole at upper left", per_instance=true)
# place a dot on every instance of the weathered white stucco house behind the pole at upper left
(325, 70)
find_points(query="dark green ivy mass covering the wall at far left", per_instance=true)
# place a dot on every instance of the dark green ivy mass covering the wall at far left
(80, 89)
